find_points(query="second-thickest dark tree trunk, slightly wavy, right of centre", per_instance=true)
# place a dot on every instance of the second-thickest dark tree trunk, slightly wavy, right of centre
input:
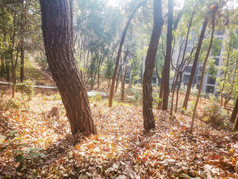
(148, 117)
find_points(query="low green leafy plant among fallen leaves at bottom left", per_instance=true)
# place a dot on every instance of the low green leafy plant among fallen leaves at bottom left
(19, 151)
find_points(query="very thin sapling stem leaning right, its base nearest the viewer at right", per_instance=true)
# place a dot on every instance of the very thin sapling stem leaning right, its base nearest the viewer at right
(214, 10)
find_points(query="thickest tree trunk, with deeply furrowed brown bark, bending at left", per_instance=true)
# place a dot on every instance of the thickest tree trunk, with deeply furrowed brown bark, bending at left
(58, 41)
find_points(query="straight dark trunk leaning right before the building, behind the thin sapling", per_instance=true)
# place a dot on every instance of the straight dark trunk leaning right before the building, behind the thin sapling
(185, 104)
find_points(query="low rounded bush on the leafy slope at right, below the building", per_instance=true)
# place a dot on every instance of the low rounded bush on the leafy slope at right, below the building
(217, 116)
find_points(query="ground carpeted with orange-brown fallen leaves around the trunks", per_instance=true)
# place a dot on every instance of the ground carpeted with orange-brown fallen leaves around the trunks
(121, 149)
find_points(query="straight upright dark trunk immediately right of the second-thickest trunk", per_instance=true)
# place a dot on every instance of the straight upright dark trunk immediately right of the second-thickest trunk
(168, 55)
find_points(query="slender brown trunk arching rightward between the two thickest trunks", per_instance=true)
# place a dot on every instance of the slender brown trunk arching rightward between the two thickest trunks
(119, 53)
